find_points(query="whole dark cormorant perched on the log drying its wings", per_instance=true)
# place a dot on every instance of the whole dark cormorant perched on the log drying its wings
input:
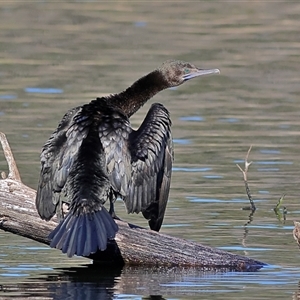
(94, 155)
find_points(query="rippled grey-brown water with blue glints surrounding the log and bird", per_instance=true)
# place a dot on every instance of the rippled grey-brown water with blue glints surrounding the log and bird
(55, 55)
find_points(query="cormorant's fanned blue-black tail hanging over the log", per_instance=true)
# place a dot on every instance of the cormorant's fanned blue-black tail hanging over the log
(84, 234)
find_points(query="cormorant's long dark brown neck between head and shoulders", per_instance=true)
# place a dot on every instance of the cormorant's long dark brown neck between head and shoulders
(134, 97)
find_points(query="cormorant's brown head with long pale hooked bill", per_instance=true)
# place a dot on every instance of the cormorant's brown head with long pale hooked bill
(177, 72)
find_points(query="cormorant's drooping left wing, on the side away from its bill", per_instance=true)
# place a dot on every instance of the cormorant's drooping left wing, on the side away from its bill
(57, 158)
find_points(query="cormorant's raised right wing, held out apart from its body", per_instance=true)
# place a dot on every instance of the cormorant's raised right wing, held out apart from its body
(151, 159)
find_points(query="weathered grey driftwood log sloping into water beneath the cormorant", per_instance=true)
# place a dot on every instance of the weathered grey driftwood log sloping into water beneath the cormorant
(133, 245)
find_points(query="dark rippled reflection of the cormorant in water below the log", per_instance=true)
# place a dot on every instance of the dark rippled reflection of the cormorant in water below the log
(85, 282)
